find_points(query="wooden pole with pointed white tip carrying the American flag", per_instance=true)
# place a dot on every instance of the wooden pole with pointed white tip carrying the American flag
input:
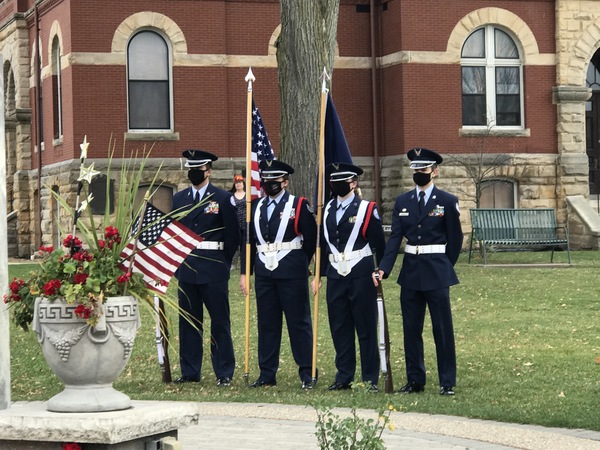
(249, 79)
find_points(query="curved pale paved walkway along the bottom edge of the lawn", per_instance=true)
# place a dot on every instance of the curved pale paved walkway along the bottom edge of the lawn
(257, 426)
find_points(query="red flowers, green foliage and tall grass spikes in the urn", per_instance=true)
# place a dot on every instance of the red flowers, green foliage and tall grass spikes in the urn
(88, 267)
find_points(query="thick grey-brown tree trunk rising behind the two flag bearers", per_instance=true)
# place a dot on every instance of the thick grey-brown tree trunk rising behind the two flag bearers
(306, 45)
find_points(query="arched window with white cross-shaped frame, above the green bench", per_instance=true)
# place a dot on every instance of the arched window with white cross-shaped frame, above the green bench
(492, 80)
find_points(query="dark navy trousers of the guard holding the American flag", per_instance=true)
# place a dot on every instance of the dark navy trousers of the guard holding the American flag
(274, 298)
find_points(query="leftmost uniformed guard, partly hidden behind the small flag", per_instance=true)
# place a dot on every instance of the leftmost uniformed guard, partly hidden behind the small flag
(204, 275)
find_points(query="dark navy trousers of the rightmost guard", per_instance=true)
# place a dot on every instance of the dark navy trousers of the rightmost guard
(413, 304)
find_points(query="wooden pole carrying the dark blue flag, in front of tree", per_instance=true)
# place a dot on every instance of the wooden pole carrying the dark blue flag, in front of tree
(321, 170)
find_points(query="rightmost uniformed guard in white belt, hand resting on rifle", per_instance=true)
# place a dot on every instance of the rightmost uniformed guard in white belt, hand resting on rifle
(429, 218)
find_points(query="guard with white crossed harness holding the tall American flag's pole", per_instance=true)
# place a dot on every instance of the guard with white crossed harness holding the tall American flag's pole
(283, 235)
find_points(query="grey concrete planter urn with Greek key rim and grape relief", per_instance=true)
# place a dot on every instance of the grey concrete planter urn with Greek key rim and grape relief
(87, 359)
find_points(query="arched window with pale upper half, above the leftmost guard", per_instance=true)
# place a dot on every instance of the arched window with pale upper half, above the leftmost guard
(149, 82)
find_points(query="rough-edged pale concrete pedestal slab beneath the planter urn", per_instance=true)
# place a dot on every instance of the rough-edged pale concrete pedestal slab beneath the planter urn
(30, 426)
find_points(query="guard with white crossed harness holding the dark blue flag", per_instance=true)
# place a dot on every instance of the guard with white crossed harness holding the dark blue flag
(352, 232)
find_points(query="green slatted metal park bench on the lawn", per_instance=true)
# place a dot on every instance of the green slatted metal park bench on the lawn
(521, 228)
